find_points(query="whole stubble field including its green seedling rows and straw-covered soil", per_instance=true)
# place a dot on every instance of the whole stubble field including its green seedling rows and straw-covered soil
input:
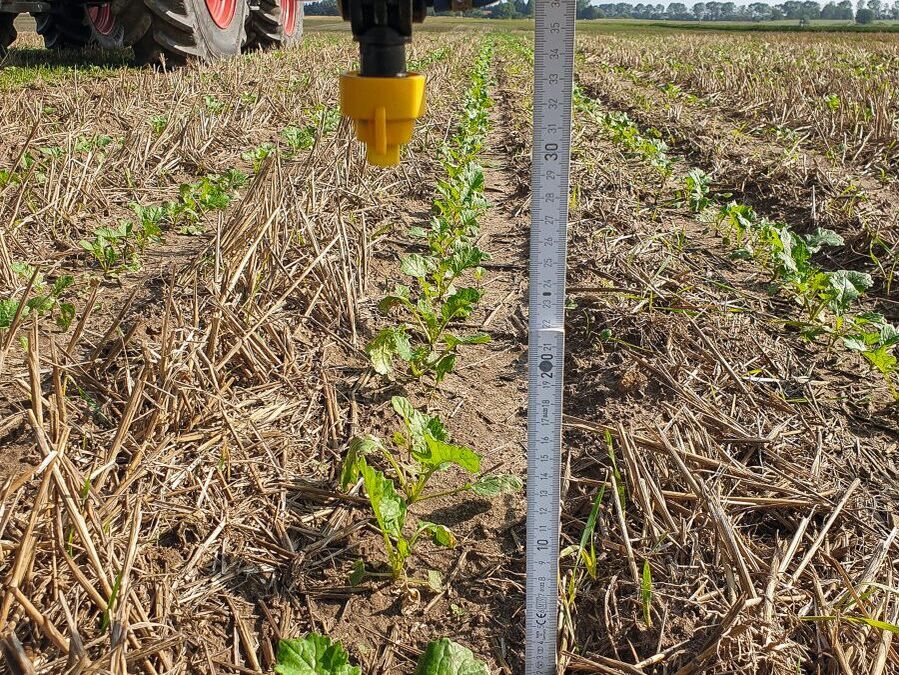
(253, 389)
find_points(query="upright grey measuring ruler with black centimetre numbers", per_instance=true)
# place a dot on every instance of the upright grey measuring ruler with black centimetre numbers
(553, 75)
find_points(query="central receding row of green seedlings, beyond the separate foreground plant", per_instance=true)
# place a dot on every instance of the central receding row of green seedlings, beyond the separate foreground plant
(434, 301)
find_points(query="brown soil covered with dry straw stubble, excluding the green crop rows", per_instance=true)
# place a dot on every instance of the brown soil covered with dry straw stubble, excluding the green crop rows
(170, 461)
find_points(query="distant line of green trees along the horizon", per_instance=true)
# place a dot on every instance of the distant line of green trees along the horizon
(865, 11)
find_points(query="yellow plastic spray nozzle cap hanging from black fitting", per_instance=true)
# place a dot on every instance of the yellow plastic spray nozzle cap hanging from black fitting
(385, 110)
